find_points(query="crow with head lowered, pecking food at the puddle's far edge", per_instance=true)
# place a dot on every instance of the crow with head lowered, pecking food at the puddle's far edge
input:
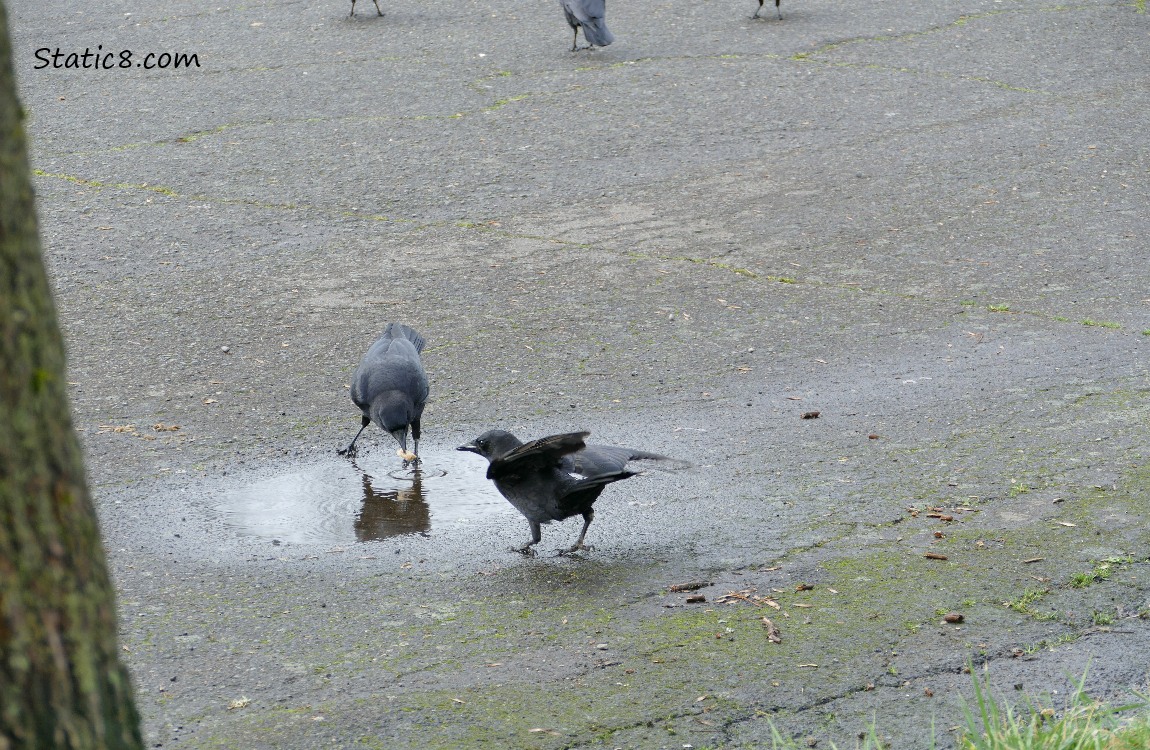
(392, 388)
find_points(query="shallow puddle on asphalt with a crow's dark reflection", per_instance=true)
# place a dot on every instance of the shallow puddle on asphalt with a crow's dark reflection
(344, 502)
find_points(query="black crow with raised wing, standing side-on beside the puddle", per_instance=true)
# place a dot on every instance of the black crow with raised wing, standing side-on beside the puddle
(554, 478)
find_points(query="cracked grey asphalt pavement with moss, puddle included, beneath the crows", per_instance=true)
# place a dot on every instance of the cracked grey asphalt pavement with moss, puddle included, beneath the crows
(924, 221)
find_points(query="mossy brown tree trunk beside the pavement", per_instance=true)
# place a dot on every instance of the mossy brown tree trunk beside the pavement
(62, 680)
